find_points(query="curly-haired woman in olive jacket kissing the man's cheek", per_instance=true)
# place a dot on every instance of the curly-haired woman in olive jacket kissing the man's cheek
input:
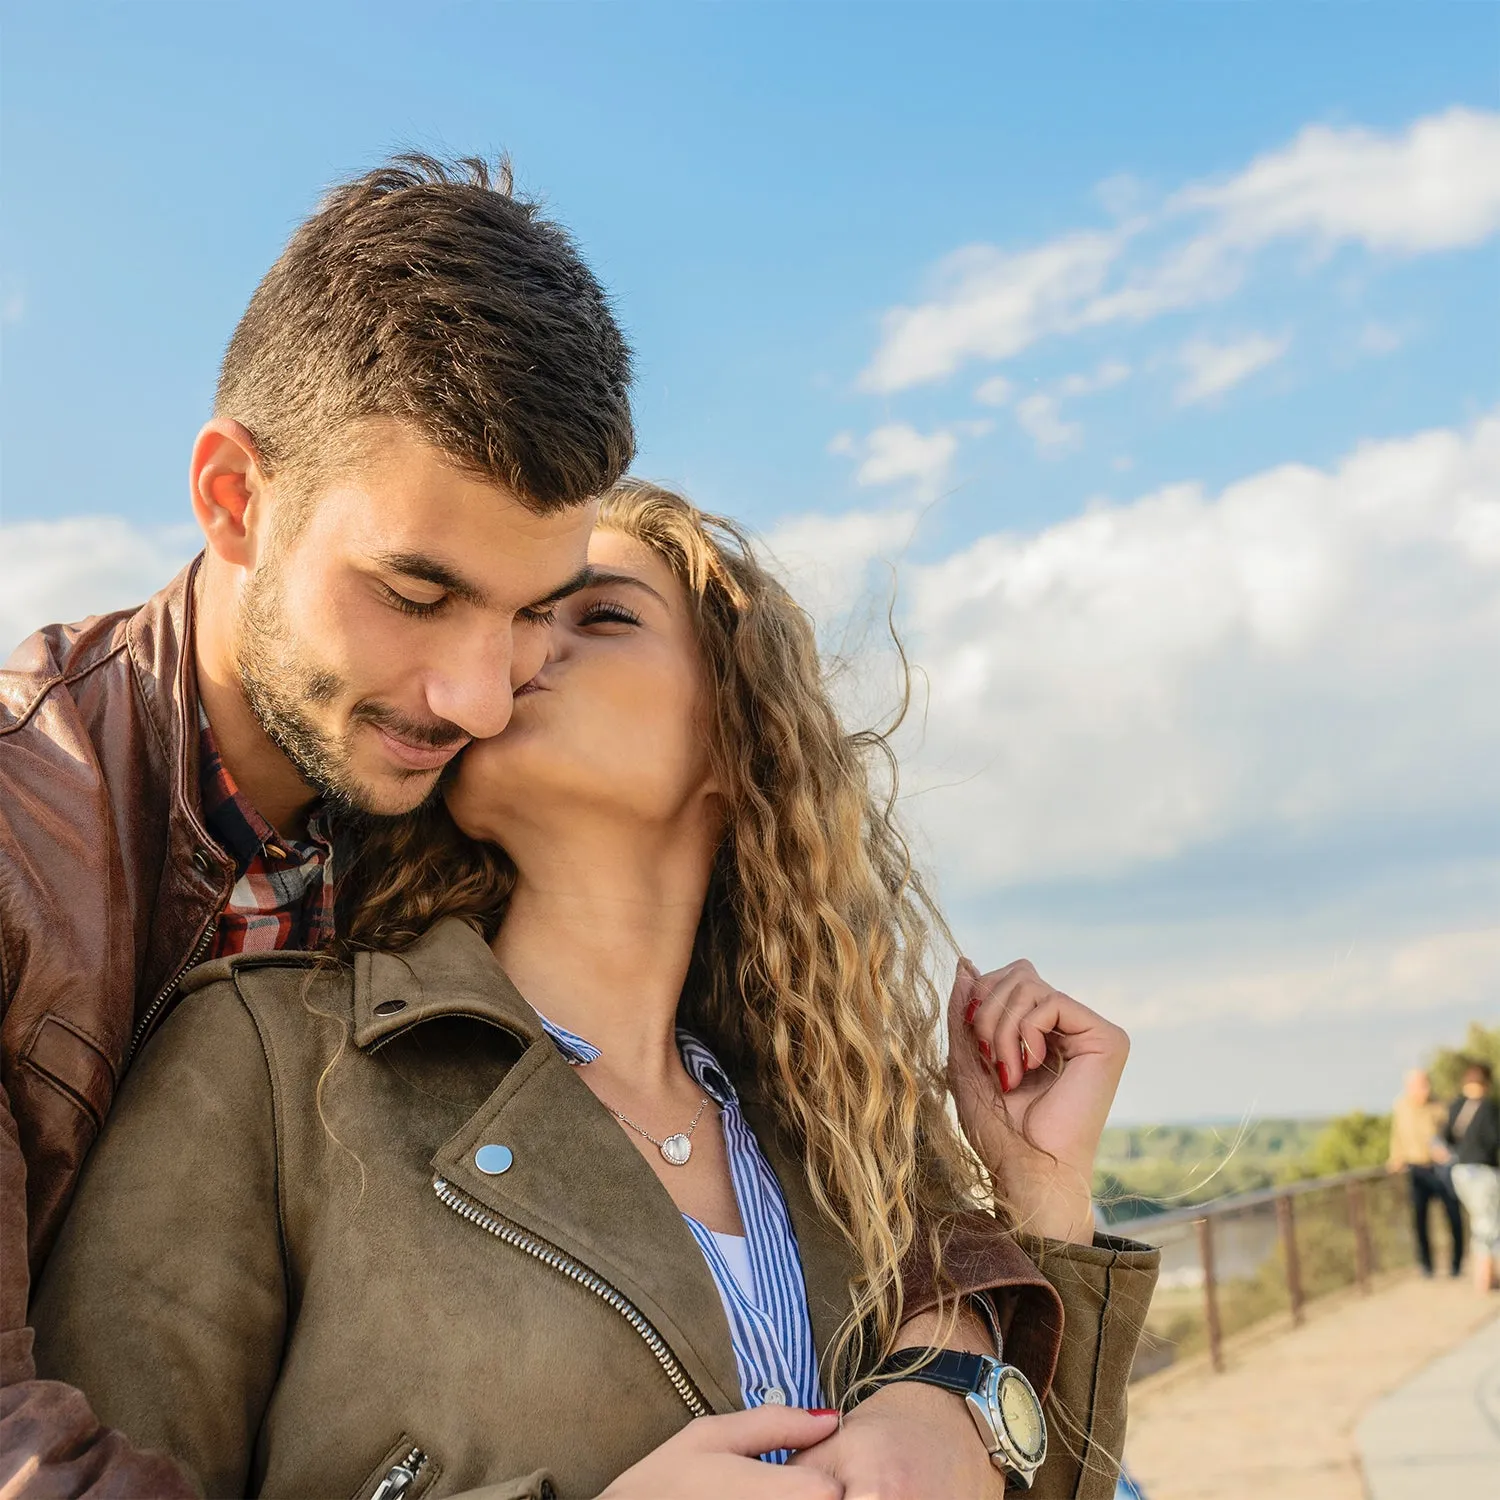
(626, 1109)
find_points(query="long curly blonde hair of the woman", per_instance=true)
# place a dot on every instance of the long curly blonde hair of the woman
(811, 973)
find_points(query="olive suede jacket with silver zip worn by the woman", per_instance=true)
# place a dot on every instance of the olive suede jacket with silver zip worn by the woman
(284, 1268)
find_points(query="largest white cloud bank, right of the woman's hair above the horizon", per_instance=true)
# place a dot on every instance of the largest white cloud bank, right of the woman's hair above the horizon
(1123, 709)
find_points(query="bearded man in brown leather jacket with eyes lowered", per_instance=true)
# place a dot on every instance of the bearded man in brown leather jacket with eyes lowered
(413, 418)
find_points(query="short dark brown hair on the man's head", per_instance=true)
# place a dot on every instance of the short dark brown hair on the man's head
(431, 293)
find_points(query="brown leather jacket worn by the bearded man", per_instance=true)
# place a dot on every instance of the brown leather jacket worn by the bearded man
(110, 887)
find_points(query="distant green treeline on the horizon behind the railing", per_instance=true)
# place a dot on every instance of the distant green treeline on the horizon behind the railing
(1148, 1169)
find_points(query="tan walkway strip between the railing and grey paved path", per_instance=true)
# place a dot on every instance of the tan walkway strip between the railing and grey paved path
(1280, 1423)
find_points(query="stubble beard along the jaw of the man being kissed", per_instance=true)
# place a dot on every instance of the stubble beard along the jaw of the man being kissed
(280, 685)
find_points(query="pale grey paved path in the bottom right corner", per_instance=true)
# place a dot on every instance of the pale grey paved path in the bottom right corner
(1439, 1435)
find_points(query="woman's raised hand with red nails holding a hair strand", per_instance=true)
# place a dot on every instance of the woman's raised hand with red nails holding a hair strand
(1022, 1052)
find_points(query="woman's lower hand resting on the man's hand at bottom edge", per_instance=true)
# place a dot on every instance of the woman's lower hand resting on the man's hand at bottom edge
(716, 1456)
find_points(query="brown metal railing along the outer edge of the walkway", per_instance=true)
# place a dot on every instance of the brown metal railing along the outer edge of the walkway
(1241, 1261)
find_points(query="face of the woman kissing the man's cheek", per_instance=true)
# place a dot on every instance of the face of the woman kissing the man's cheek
(611, 727)
